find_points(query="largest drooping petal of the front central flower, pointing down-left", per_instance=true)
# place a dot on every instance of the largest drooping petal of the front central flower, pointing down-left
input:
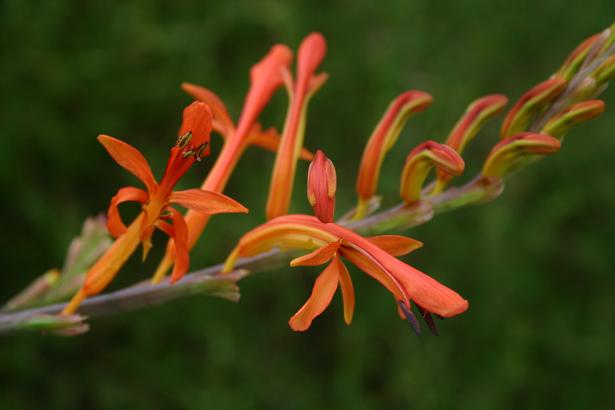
(322, 294)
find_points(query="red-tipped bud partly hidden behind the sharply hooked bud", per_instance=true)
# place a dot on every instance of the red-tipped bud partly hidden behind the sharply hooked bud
(475, 116)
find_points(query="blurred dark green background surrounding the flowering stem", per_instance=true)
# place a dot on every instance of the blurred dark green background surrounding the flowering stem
(536, 265)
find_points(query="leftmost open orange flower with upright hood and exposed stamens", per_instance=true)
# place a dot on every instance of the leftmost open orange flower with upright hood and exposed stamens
(192, 145)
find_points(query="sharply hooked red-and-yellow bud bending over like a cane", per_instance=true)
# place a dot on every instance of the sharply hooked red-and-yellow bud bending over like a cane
(420, 161)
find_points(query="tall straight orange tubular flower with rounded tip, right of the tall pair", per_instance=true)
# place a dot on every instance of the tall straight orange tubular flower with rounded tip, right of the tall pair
(311, 53)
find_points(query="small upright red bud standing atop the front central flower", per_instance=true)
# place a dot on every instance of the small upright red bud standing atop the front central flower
(321, 187)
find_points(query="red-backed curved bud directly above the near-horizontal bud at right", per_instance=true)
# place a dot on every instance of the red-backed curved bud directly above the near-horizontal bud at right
(529, 104)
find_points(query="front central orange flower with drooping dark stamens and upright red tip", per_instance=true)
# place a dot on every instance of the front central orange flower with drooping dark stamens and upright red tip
(330, 242)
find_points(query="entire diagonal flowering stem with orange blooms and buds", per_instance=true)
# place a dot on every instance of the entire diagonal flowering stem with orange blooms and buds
(534, 127)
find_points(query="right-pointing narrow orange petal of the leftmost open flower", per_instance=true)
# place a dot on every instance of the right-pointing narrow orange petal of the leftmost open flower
(207, 202)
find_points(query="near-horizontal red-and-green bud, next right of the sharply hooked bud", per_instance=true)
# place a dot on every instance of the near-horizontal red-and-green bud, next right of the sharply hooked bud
(513, 152)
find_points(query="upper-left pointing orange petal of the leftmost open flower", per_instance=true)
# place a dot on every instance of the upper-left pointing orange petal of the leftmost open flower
(129, 158)
